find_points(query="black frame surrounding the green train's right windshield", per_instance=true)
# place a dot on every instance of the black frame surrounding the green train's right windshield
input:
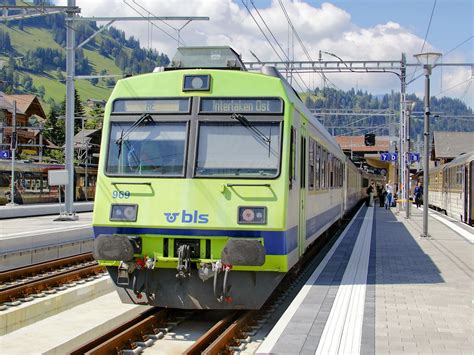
(226, 119)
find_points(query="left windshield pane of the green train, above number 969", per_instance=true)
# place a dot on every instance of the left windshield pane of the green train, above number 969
(154, 149)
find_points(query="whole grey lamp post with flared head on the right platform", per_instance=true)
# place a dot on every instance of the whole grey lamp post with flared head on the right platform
(428, 60)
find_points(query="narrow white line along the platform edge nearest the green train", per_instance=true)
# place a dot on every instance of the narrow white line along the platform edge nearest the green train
(280, 327)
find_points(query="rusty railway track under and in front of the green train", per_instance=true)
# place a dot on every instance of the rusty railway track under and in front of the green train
(230, 333)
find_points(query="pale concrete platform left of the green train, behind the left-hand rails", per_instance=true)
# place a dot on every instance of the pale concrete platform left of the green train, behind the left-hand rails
(30, 240)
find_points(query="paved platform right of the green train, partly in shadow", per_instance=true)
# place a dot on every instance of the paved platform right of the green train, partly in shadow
(383, 289)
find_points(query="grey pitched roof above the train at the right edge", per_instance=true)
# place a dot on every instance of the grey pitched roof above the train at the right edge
(452, 144)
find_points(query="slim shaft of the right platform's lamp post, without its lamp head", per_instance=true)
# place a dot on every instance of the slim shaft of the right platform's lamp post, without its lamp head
(426, 133)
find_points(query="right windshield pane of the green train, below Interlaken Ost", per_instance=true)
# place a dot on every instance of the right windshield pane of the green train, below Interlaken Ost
(243, 149)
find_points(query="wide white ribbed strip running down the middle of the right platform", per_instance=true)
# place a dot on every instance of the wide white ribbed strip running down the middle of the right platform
(342, 333)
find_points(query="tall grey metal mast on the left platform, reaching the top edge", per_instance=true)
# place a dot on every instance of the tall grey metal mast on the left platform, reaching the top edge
(69, 151)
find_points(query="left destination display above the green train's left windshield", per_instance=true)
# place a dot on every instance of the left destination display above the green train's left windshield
(151, 106)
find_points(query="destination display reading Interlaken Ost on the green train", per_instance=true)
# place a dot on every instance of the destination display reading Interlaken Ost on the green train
(260, 106)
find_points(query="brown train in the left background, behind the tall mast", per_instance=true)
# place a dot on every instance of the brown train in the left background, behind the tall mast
(31, 183)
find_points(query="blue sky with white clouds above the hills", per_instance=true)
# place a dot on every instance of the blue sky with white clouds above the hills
(350, 29)
